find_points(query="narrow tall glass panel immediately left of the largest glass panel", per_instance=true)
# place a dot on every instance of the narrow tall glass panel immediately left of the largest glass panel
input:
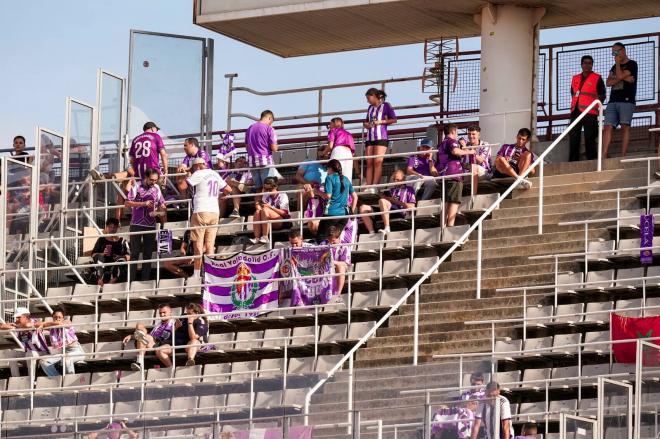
(110, 112)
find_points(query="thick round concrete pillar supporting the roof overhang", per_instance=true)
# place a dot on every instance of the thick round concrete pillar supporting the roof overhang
(509, 42)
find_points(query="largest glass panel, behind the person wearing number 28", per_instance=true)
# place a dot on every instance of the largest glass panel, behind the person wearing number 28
(165, 81)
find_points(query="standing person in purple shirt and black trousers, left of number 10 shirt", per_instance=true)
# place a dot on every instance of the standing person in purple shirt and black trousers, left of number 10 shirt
(146, 202)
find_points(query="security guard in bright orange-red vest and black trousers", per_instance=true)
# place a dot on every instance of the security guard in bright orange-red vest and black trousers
(585, 88)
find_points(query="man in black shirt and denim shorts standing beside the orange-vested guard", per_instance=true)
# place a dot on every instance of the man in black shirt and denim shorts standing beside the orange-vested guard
(621, 106)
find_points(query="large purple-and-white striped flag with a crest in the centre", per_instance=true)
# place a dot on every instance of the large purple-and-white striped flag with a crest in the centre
(242, 283)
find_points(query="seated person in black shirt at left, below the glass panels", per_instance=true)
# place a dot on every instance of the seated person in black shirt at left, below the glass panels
(110, 249)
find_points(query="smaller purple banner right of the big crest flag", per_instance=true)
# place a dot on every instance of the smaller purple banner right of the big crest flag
(301, 263)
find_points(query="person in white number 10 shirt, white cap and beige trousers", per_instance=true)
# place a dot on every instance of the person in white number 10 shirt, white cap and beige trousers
(207, 186)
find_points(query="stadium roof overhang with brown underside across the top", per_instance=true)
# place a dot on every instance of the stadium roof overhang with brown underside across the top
(307, 27)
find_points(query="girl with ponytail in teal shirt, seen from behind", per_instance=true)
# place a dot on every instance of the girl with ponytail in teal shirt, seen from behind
(338, 188)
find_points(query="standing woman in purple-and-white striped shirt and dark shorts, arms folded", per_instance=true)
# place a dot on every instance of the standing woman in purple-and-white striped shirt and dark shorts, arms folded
(380, 114)
